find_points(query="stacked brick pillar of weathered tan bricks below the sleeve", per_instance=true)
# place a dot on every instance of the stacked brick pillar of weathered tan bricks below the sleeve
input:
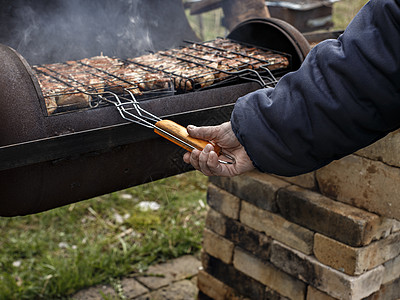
(330, 234)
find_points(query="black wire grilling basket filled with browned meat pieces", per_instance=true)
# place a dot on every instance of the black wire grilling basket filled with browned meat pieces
(75, 85)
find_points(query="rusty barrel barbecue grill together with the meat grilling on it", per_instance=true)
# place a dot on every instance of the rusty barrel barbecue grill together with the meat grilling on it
(56, 155)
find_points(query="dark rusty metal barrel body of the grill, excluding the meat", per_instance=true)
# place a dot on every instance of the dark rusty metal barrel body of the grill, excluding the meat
(53, 160)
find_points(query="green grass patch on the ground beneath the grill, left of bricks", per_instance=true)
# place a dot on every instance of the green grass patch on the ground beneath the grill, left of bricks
(55, 253)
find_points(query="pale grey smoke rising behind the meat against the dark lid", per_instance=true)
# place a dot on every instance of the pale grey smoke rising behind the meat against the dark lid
(46, 31)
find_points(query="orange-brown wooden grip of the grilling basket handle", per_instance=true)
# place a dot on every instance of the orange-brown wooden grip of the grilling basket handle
(179, 135)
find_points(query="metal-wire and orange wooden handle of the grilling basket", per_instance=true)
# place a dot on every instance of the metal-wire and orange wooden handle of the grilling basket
(166, 128)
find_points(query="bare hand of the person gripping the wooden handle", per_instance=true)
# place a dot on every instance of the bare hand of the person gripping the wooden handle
(207, 162)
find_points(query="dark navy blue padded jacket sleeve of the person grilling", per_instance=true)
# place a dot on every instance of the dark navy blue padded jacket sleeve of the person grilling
(345, 96)
